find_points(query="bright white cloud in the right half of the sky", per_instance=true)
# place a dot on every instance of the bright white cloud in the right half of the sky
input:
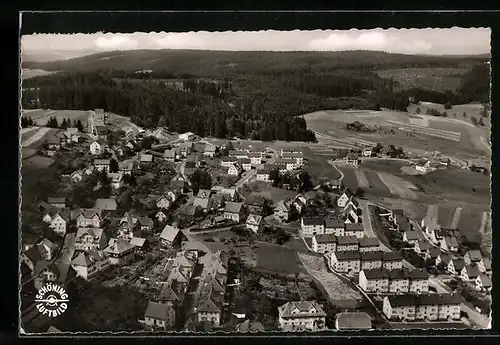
(372, 40)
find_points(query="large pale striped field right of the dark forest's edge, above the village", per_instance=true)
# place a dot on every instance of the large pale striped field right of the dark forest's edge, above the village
(422, 133)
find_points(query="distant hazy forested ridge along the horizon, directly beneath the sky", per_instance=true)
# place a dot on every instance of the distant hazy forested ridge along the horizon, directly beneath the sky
(226, 62)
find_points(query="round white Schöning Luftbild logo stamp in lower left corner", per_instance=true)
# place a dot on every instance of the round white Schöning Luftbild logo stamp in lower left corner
(52, 300)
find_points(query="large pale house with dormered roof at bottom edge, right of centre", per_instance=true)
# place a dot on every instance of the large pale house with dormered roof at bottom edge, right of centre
(303, 315)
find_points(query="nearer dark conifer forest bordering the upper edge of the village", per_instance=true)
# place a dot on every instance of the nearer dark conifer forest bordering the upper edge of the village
(153, 104)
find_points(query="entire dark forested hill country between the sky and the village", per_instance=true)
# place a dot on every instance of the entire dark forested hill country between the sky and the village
(254, 95)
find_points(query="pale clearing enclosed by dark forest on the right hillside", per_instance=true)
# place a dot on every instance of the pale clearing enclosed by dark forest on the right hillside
(438, 79)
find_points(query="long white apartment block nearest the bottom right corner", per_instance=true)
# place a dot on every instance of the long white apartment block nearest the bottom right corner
(430, 307)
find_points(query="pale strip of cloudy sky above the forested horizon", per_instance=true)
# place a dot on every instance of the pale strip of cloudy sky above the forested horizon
(450, 41)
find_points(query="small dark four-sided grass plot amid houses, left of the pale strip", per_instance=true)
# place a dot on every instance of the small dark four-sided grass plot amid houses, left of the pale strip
(272, 258)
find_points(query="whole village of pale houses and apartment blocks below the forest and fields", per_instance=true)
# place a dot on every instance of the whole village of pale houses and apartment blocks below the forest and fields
(207, 209)
